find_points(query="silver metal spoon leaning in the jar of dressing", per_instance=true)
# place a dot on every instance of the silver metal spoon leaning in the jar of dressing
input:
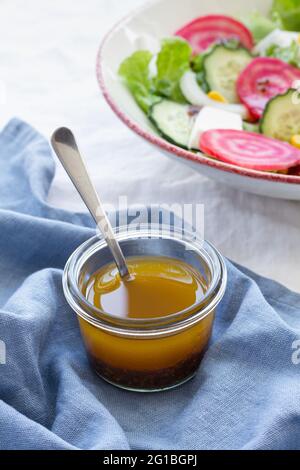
(64, 144)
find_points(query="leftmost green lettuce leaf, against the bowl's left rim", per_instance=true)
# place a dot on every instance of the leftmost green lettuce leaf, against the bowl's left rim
(135, 72)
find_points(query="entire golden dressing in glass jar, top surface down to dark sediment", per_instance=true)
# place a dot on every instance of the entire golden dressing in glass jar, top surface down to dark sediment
(157, 291)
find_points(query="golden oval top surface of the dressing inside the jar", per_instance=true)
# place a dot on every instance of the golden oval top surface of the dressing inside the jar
(156, 287)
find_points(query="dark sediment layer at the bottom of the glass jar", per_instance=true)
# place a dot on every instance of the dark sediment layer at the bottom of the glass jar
(150, 380)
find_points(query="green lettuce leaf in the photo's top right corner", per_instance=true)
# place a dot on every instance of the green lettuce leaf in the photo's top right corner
(289, 13)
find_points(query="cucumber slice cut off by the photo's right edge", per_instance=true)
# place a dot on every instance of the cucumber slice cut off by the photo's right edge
(281, 118)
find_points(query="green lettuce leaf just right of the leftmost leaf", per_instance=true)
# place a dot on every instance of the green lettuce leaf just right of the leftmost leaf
(172, 61)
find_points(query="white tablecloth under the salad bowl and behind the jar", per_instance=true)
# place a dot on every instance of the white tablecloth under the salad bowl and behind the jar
(47, 66)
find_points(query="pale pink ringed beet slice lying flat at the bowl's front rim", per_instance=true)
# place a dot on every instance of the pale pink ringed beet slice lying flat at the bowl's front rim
(249, 150)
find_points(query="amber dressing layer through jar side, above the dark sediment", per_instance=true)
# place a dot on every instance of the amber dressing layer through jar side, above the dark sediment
(144, 353)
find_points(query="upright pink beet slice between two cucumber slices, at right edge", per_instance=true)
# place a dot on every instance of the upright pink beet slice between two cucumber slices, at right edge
(263, 79)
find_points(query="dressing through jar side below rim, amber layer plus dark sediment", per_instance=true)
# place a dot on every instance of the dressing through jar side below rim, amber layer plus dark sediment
(147, 363)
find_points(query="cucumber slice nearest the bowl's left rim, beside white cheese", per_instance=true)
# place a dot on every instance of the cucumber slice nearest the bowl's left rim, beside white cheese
(174, 121)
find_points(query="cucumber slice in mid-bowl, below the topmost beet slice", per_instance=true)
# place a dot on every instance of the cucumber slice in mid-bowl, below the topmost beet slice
(222, 67)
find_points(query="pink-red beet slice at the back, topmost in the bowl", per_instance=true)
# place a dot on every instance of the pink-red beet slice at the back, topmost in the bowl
(206, 30)
